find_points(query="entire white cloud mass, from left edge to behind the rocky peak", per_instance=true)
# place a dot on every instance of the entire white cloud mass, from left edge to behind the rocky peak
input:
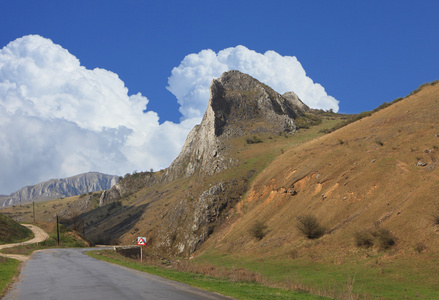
(59, 119)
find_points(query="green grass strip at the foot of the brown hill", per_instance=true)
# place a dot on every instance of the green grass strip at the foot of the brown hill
(398, 279)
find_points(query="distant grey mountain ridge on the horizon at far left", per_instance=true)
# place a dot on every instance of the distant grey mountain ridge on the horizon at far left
(57, 188)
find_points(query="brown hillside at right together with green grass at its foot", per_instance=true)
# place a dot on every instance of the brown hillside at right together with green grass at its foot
(371, 185)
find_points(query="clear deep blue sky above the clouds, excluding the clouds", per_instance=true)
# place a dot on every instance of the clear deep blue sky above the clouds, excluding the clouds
(362, 52)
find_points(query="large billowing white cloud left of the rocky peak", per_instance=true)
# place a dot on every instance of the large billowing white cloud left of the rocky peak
(59, 119)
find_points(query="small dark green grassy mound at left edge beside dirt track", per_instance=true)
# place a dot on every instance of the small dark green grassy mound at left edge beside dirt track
(13, 232)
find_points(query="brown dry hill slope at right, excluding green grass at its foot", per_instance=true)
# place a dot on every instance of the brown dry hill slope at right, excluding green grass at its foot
(376, 174)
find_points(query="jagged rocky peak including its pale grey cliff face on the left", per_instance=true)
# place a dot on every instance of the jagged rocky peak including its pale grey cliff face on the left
(238, 105)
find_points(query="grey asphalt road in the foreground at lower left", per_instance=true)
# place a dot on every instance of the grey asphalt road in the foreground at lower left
(70, 274)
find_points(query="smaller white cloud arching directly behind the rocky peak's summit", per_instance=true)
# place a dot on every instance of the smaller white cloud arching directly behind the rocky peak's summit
(190, 81)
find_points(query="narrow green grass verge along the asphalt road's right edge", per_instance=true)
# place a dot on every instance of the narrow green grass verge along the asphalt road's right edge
(238, 290)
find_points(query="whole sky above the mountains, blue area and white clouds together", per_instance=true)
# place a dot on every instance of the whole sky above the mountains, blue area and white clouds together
(115, 86)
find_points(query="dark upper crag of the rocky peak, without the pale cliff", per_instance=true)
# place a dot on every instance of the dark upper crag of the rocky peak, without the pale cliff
(238, 100)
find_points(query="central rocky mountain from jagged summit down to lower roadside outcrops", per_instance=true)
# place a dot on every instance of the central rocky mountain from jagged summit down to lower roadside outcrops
(240, 107)
